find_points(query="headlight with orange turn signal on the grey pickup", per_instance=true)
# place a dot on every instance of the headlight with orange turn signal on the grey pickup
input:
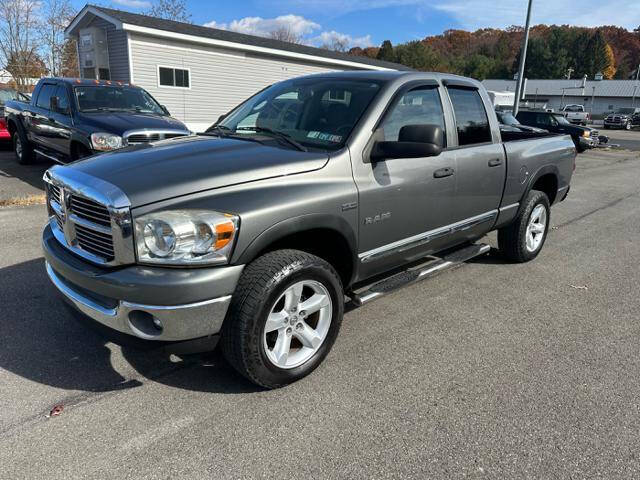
(185, 237)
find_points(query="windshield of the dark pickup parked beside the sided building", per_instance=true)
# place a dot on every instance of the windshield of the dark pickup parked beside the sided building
(99, 98)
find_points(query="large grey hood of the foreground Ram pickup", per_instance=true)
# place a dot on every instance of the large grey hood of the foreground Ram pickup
(171, 168)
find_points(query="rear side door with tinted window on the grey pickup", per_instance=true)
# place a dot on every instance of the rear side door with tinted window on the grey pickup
(481, 164)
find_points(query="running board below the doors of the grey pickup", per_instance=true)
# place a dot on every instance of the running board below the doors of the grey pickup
(414, 274)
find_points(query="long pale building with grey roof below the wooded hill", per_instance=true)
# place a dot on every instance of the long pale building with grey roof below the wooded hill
(598, 96)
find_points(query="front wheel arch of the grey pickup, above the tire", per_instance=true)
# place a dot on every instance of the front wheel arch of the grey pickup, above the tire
(328, 236)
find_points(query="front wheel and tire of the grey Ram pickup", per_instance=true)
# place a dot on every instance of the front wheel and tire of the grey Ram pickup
(284, 317)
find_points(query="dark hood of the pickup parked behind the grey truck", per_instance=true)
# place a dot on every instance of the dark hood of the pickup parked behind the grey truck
(120, 122)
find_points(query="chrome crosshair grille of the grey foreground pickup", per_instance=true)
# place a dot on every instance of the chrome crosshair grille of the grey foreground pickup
(89, 216)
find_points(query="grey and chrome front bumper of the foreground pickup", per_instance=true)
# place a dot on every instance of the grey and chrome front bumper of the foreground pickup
(150, 303)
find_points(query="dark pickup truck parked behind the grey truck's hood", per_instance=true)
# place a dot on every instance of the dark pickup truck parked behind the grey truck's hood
(68, 119)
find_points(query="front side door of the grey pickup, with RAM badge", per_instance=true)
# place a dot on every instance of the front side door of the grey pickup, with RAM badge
(404, 201)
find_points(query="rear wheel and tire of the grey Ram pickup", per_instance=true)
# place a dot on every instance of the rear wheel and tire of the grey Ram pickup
(522, 240)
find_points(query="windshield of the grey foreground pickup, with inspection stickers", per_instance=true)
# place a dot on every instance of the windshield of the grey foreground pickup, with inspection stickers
(314, 112)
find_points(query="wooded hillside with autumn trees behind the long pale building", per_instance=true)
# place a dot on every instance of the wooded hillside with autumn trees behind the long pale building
(554, 51)
